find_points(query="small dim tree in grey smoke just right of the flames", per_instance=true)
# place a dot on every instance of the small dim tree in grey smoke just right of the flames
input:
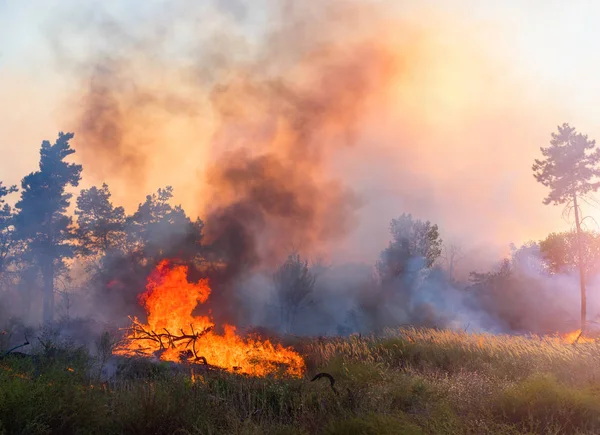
(294, 283)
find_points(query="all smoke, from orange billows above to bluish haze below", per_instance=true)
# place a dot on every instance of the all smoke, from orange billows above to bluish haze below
(308, 126)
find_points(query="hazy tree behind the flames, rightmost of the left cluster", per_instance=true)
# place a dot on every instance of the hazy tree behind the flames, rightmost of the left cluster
(159, 230)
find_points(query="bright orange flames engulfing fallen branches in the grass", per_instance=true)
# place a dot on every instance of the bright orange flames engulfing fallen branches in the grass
(175, 334)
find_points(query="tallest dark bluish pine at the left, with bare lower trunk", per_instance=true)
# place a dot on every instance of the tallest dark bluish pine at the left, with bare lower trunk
(41, 220)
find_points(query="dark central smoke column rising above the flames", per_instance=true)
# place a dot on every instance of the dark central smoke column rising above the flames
(273, 186)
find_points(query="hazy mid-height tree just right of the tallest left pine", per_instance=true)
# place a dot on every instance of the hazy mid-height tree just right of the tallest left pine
(100, 225)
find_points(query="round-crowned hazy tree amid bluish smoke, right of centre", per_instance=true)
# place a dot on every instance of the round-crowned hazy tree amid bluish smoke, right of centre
(412, 240)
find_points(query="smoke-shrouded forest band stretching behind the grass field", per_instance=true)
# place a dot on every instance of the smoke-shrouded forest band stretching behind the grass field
(68, 254)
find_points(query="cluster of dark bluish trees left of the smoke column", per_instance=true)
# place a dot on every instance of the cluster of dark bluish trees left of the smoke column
(39, 238)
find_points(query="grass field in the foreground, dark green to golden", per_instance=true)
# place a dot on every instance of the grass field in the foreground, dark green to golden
(407, 381)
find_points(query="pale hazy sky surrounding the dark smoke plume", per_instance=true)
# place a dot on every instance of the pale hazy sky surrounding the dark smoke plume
(489, 83)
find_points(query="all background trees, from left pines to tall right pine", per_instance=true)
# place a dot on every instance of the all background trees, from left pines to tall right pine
(40, 241)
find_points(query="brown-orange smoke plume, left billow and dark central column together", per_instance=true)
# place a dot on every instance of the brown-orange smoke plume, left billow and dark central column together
(276, 118)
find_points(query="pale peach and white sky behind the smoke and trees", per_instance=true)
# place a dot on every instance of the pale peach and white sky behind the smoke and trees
(452, 139)
